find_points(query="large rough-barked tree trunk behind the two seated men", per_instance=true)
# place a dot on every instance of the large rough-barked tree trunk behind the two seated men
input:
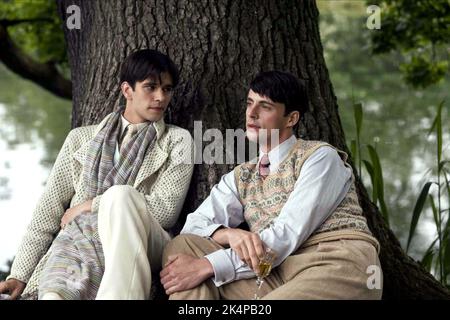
(219, 47)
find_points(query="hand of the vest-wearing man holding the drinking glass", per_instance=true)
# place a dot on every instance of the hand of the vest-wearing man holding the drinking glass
(248, 245)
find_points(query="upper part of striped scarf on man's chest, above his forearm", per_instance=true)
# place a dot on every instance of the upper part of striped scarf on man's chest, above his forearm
(100, 172)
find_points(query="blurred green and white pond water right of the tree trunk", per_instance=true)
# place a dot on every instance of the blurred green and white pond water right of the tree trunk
(397, 117)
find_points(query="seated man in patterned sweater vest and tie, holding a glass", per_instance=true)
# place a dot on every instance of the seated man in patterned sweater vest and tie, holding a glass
(298, 199)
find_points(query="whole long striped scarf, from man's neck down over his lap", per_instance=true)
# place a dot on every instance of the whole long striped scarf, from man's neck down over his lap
(76, 248)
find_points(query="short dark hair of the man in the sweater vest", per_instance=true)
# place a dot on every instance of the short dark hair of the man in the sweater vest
(282, 87)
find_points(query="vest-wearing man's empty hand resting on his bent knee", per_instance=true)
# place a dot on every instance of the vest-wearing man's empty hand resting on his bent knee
(183, 272)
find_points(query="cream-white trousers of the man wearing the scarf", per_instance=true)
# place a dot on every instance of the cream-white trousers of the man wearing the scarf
(132, 241)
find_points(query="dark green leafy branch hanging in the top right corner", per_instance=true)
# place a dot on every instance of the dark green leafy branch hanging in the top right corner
(419, 31)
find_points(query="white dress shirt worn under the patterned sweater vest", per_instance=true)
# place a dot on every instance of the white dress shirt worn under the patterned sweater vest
(323, 182)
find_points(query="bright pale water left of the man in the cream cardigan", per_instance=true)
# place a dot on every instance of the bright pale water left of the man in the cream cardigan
(33, 126)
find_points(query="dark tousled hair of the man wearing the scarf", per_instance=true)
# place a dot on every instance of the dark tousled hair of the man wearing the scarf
(147, 63)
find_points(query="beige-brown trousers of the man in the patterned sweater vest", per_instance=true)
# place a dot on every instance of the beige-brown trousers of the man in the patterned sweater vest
(335, 269)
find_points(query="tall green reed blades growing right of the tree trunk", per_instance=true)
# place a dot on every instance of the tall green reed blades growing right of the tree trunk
(437, 257)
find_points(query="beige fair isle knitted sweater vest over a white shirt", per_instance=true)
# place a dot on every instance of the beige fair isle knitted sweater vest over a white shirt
(263, 199)
